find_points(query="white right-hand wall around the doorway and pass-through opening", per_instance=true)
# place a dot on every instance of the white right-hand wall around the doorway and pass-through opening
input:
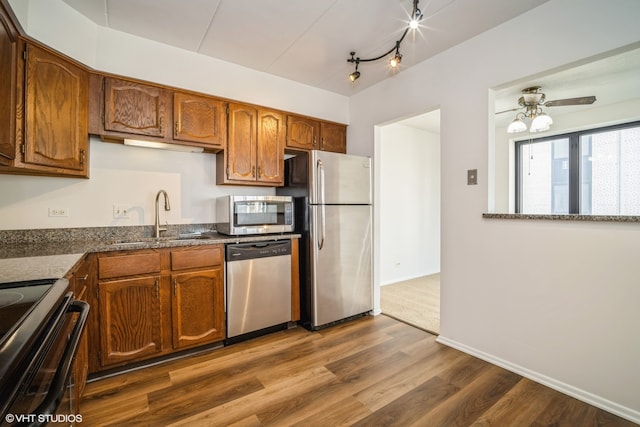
(556, 301)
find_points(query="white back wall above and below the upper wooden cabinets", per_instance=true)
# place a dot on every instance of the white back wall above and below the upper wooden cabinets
(129, 175)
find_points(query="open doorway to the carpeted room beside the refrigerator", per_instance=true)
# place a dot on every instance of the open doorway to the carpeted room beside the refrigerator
(408, 170)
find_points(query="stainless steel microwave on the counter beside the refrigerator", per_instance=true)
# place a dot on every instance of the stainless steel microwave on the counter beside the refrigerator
(239, 215)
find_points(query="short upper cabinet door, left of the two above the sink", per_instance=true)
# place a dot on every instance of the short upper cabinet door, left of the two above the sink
(134, 108)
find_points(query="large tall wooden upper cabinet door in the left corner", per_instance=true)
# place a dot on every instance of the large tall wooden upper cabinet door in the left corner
(56, 112)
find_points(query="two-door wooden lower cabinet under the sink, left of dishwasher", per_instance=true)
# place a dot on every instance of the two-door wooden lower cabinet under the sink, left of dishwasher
(152, 303)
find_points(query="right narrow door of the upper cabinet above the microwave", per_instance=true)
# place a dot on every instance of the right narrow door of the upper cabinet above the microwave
(271, 141)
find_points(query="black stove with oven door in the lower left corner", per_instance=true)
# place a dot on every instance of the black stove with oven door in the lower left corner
(40, 328)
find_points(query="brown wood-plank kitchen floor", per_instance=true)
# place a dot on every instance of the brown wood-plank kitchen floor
(373, 371)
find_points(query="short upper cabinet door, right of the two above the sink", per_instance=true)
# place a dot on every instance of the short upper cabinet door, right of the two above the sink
(199, 119)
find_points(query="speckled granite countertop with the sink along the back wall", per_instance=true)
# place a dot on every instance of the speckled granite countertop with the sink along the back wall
(52, 253)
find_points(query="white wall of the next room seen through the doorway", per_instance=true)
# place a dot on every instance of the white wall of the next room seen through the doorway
(408, 203)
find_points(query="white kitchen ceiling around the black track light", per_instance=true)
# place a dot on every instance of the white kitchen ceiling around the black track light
(304, 40)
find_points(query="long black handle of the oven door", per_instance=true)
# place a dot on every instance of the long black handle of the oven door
(59, 383)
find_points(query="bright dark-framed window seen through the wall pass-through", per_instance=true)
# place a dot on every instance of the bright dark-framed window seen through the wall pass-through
(592, 172)
